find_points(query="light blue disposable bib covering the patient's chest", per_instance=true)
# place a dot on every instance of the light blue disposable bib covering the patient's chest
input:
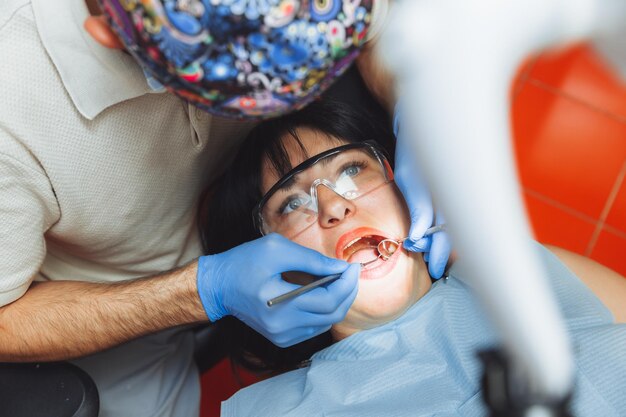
(425, 363)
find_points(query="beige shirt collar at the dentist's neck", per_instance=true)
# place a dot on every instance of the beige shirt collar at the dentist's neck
(94, 76)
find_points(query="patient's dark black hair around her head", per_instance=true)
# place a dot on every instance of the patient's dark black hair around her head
(225, 214)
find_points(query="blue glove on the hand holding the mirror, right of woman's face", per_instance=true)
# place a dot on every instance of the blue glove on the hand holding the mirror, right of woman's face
(437, 246)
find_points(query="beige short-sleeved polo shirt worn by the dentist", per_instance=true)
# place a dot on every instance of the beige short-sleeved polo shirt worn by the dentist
(99, 181)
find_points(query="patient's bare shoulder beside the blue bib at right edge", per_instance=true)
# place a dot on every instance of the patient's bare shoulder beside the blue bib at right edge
(606, 284)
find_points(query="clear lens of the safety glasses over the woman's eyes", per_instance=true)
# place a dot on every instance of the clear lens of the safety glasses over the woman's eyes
(350, 174)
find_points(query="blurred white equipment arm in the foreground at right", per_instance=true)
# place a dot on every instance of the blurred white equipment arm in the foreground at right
(453, 62)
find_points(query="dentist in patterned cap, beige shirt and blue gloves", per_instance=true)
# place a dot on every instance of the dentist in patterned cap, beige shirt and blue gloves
(100, 174)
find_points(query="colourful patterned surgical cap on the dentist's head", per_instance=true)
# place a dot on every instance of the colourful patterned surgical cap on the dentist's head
(247, 59)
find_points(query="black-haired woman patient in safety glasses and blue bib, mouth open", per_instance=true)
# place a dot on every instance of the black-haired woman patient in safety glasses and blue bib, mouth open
(320, 177)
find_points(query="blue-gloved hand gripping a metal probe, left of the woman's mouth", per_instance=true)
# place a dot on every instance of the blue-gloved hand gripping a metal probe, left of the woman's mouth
(239, 282)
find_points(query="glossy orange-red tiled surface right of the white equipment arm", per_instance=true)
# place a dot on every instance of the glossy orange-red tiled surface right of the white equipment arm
(569, 124)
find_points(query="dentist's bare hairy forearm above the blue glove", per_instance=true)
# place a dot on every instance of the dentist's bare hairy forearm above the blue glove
(61, 320)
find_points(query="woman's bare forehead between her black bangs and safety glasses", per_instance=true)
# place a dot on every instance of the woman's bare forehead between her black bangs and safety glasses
(309, 142)
